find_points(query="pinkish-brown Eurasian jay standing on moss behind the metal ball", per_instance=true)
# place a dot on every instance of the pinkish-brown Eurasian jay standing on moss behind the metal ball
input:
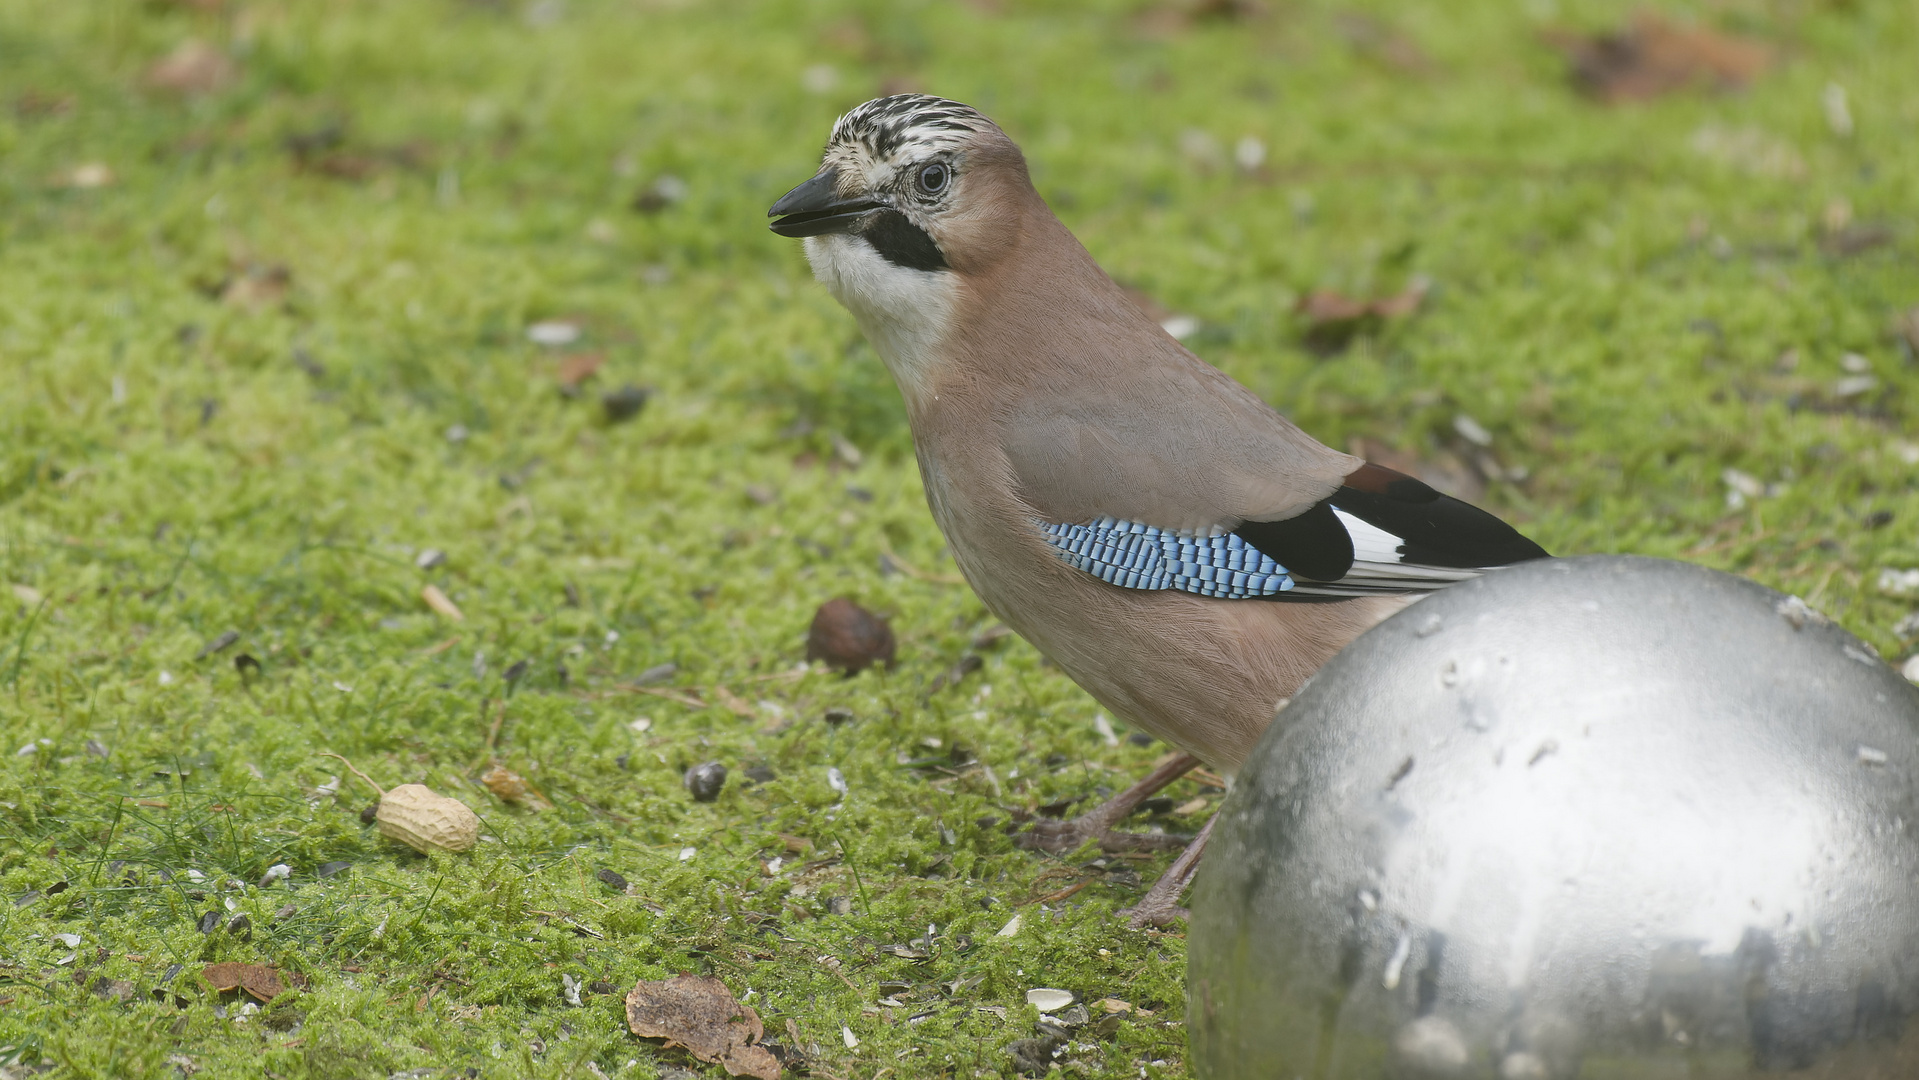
(1173, 544)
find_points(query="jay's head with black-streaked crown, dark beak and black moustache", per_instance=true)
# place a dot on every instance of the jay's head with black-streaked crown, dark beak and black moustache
(911, 183)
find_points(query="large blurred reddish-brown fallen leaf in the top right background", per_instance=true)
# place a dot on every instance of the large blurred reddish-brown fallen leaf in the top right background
(1657, 57)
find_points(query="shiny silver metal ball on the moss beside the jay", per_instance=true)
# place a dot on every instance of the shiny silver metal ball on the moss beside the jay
(1590, 818)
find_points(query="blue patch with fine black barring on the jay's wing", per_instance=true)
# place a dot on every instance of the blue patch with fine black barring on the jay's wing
(1143, 557)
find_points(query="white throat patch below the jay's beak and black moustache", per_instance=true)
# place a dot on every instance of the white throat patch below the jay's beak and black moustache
(905, 314)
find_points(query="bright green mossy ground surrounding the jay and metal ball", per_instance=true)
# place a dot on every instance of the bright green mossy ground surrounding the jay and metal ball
(1613, 296)
